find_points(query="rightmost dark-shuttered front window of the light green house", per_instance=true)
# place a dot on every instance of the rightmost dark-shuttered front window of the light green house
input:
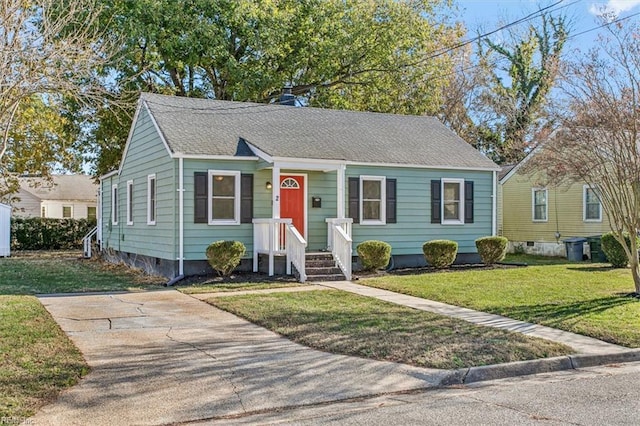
(452, 201)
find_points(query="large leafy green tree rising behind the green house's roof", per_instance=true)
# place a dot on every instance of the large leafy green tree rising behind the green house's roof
(349, 54)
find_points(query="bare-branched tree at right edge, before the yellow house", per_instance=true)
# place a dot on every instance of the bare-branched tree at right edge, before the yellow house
(599, 141)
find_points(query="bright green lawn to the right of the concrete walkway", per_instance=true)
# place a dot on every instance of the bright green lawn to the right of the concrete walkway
(585, 298)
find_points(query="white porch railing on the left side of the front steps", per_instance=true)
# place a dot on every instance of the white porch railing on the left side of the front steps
(279, 237)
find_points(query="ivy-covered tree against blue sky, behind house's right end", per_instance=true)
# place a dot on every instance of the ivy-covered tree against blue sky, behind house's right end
(522, 70)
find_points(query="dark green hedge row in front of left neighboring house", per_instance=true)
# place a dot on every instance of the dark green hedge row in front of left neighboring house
(36, 233)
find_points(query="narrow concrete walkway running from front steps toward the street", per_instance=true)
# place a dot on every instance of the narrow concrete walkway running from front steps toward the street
(582, 344)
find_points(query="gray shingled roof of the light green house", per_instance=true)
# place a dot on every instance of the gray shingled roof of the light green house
(212, 127)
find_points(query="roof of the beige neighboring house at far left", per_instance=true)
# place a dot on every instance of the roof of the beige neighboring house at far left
(61, 187)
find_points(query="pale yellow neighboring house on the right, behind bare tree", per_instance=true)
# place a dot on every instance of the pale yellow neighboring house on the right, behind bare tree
(537, 218)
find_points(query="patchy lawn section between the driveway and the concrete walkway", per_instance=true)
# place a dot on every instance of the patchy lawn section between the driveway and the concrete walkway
(344, 323)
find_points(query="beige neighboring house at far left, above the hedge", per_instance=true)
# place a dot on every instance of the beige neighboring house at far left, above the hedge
(63, 196)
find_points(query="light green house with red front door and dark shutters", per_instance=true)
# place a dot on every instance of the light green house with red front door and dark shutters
(289, 182)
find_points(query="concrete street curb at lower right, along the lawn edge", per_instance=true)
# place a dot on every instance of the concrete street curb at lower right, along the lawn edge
(465, 376)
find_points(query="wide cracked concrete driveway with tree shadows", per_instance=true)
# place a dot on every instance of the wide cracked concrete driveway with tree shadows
(163, 357)
